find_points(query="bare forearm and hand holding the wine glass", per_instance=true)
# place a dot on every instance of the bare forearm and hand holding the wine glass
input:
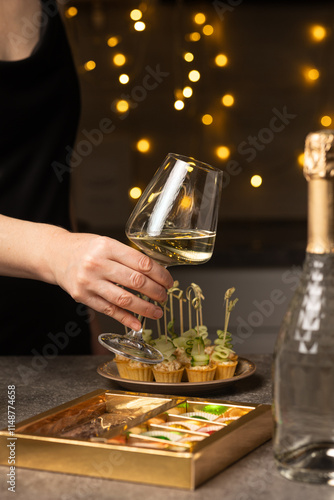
(87, 266)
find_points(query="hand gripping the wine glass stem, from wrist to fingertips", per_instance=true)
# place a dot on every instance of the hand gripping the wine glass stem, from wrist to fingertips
(90, 267)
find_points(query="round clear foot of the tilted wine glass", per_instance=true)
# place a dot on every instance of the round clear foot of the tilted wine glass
(132, 348)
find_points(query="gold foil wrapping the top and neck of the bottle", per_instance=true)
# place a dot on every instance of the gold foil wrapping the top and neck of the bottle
(319, 172)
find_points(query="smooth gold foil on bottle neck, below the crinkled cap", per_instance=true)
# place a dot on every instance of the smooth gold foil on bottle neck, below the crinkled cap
(320, 238)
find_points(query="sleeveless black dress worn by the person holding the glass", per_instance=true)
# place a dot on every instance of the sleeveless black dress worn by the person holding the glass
(39, 113)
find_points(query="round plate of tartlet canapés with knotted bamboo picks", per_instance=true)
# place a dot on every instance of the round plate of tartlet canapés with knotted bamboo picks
(192, 362)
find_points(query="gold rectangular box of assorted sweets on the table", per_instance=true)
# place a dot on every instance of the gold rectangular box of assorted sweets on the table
(117, 435)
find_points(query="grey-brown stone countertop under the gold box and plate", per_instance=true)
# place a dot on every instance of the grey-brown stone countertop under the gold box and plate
(43, 384)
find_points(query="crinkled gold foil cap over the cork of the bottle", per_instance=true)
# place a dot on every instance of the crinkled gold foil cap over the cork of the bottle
(319, 155)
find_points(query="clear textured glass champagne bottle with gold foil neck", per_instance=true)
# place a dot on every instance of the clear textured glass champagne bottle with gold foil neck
(304, 353)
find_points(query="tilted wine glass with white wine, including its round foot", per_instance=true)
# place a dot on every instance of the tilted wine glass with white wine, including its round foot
(174, 222)
